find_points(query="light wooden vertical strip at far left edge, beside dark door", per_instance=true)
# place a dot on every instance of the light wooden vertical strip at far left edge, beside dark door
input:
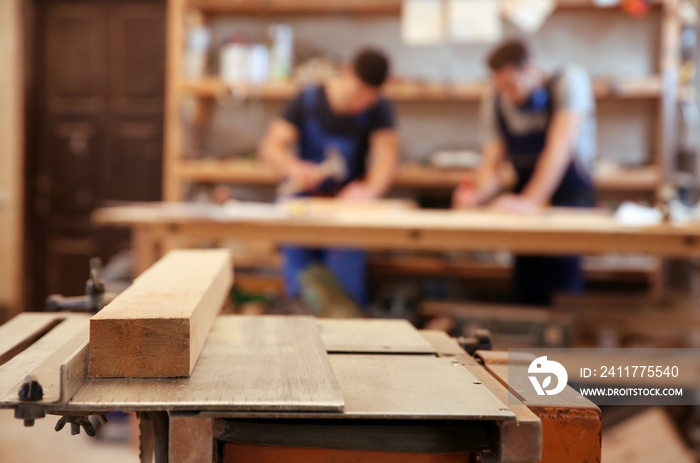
(11, 155)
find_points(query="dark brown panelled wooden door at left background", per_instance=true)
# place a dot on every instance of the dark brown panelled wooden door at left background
(95, 130)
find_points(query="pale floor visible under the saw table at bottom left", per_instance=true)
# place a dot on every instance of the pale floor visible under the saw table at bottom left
(42, 444)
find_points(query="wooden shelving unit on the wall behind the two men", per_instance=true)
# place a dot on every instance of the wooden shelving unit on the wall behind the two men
(660, 87)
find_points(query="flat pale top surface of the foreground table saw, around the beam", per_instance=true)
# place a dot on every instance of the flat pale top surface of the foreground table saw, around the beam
(266, 364)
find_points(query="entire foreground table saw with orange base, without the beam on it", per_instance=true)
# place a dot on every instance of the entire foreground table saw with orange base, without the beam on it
(275, 388)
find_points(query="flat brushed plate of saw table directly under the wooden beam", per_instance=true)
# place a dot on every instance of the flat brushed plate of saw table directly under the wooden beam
(251, 363)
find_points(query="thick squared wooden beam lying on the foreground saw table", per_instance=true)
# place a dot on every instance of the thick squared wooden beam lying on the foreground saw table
(157, 327)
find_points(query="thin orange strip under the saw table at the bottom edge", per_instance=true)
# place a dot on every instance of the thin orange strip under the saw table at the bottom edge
(237, 453)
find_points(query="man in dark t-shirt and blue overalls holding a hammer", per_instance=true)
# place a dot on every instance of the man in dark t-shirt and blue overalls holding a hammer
(346, 118)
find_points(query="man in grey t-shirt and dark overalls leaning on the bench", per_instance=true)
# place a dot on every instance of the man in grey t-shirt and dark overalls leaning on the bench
(544, 124)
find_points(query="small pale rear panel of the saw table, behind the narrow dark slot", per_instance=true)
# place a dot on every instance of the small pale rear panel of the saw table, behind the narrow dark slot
(372, 336)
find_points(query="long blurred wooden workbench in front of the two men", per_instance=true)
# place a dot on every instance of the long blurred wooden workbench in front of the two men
(159, 227)
